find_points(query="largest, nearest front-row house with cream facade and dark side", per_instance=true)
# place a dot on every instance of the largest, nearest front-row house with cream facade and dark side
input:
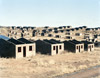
(15, 48)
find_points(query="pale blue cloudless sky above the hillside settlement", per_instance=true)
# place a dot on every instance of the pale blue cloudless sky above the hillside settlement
(50, 13)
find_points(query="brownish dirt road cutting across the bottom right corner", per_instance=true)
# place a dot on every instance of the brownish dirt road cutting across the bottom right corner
(87, 73)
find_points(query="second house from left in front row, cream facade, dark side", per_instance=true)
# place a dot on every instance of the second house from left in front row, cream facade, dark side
(49, 47)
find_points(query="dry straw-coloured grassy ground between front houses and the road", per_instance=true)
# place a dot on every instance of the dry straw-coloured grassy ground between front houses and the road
(45, 66)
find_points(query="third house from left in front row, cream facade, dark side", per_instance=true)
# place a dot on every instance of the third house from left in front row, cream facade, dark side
(73, 46)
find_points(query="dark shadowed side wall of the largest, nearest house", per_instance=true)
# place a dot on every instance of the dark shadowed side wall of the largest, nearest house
(7, 49)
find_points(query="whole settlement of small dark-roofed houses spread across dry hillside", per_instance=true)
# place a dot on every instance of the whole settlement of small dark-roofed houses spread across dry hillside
(18, 41)
